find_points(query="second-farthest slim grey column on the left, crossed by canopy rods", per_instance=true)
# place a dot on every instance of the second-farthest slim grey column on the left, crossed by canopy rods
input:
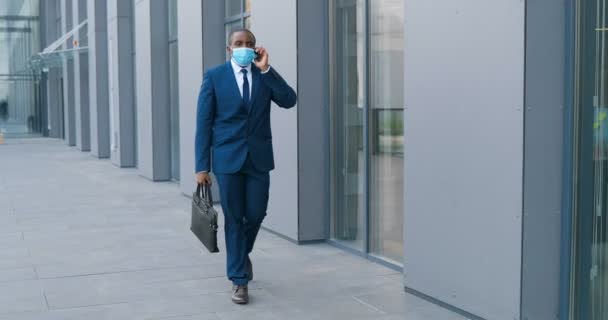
(81, 80)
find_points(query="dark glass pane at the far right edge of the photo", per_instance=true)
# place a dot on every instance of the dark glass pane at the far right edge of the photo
(591, 245)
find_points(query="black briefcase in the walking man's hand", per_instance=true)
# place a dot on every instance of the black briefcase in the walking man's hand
(204, 218)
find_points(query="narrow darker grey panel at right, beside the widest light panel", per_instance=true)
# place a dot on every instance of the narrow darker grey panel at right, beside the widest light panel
(545, 60)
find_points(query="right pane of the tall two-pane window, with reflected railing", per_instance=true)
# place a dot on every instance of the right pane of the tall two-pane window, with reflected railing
(386, 128)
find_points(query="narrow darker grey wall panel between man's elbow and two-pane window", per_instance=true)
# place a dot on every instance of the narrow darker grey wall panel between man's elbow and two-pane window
(313, 93)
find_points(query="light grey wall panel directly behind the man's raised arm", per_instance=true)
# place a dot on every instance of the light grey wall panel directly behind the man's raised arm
(282, 47)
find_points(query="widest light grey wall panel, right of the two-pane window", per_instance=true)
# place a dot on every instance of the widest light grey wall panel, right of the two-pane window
(464, 87)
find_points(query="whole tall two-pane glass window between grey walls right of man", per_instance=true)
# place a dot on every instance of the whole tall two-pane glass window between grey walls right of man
(367, 126)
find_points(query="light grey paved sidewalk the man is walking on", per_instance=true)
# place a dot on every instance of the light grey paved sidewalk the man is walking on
(82, 239)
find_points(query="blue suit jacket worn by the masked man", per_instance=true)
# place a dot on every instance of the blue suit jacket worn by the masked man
(232, 129)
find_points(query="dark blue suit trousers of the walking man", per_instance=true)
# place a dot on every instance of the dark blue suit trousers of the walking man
(244, 199)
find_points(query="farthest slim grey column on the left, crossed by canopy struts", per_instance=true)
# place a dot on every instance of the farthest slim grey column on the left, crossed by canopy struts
(68, 77)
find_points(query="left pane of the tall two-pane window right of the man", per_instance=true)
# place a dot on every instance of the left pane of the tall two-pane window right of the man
(348, 80)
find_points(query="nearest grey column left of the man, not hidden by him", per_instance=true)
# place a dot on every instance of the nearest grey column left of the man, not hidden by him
(152, 76)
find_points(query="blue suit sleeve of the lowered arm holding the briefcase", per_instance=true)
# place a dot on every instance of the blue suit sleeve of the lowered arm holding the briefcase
(205, 115)
